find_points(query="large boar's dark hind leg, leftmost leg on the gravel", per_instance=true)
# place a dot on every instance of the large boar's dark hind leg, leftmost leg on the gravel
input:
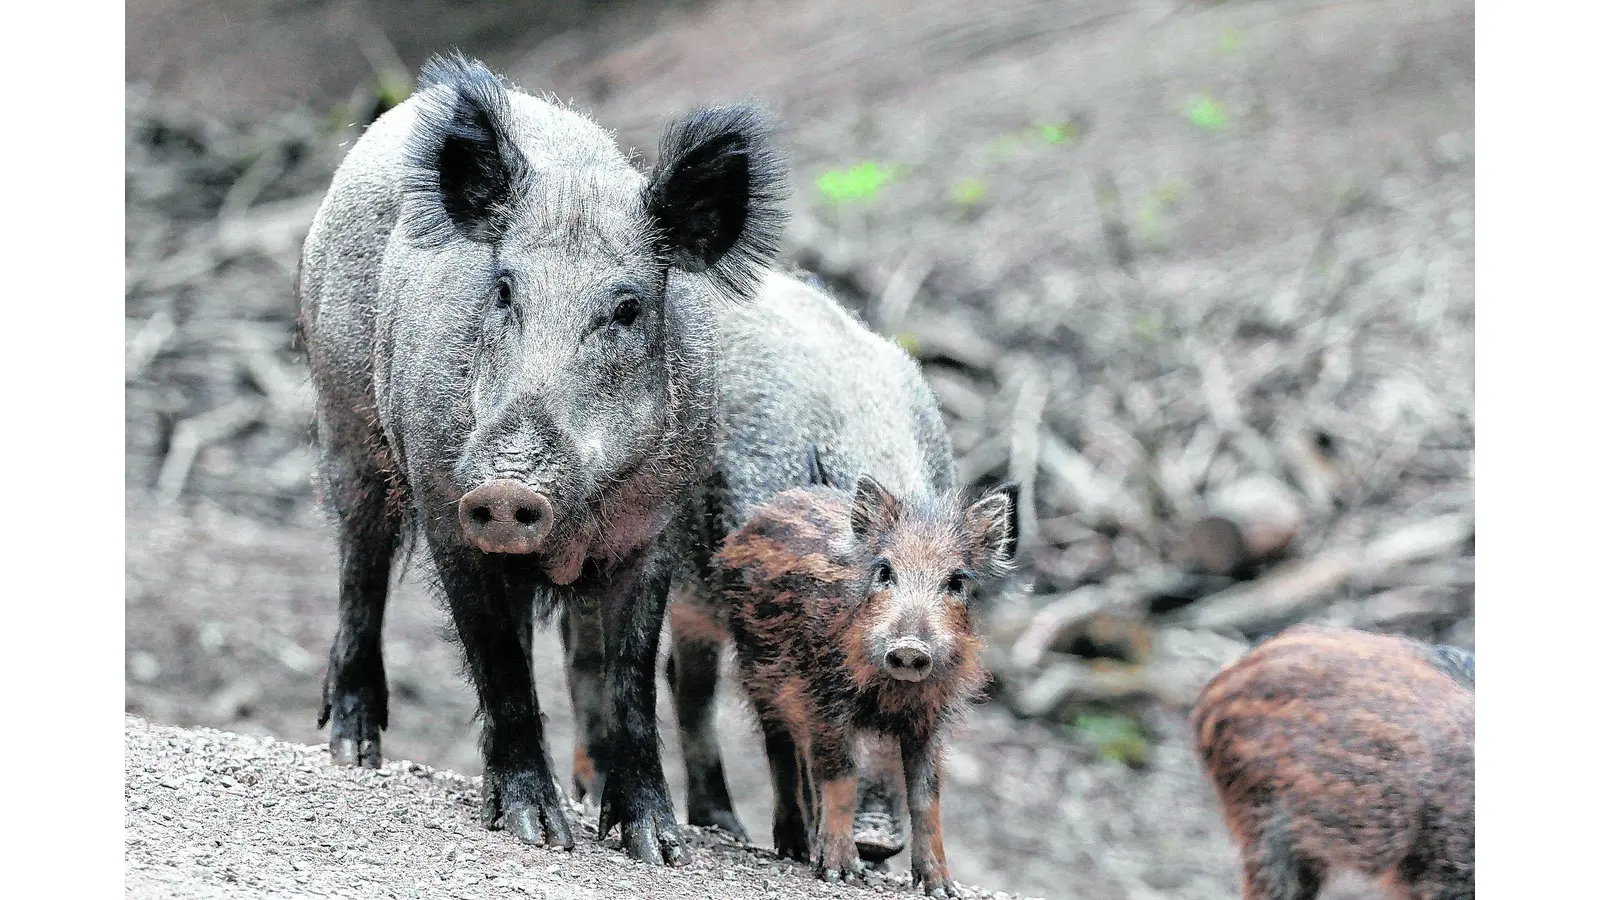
(356, 691)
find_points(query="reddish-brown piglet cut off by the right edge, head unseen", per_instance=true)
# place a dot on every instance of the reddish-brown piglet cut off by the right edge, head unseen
(1335, 750)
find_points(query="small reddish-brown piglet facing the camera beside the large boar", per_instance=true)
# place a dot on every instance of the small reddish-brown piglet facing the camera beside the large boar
(850, 614)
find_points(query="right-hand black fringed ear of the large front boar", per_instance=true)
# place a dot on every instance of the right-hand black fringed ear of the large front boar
(718, 196)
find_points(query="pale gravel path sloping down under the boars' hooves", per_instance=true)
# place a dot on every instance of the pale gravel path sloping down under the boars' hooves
(215, 814)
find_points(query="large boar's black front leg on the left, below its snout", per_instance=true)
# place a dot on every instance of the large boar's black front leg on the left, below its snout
(519, 792)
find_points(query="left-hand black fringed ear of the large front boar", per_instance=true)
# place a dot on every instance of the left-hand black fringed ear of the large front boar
(465, 174)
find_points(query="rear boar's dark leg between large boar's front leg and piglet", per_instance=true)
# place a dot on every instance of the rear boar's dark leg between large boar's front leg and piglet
(692, 675)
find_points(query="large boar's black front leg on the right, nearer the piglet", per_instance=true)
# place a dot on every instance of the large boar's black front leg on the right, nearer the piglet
(634, 792)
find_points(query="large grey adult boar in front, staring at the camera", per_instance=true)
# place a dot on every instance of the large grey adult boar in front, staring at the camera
(511, 337)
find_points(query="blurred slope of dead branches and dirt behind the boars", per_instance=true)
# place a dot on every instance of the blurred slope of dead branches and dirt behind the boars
(1199, 275)
